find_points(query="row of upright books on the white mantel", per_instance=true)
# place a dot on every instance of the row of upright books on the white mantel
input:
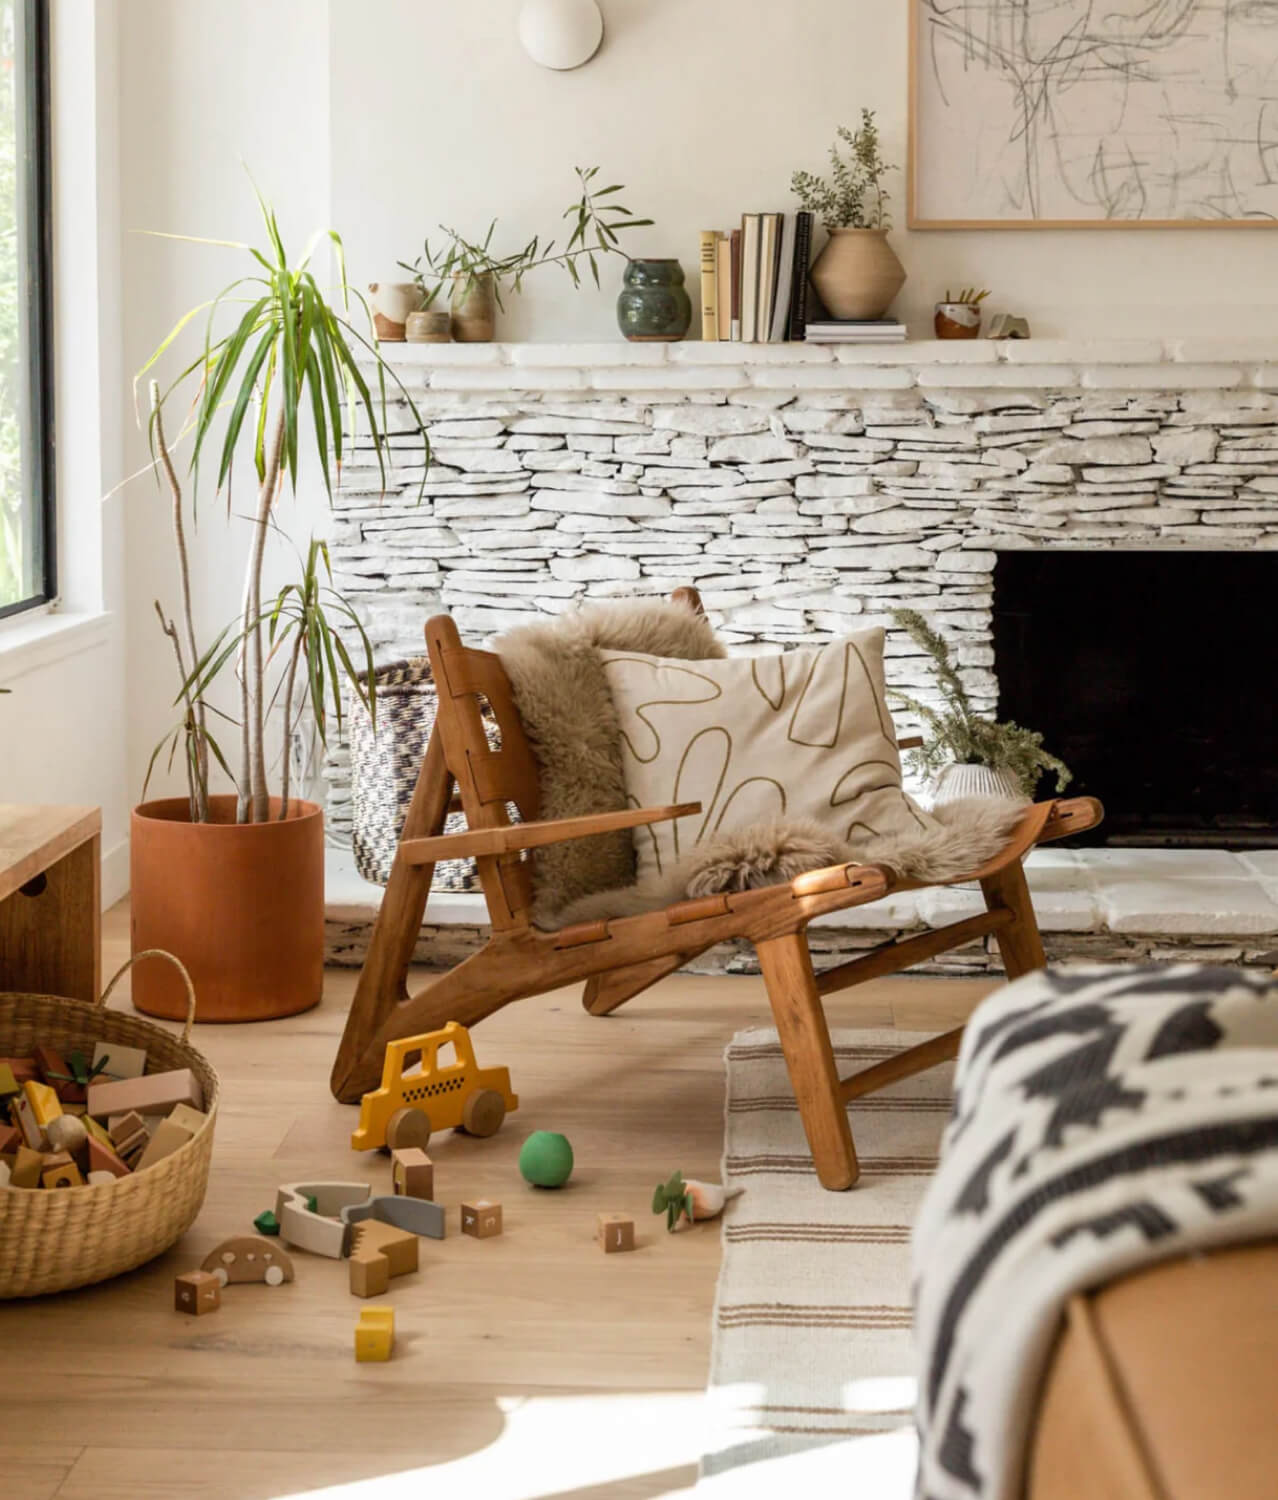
(754, 281)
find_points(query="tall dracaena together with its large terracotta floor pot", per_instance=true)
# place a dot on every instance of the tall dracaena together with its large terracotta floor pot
(235, 884)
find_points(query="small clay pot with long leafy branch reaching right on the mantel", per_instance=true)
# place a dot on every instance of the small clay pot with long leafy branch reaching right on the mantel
(475, 272)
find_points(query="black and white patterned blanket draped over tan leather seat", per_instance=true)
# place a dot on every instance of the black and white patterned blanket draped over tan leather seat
(1105, 1120)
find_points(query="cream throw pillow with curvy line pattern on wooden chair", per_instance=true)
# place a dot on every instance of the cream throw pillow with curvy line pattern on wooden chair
(806, 734)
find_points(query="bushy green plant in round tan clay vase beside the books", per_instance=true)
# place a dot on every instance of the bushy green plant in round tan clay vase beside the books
(857, 274)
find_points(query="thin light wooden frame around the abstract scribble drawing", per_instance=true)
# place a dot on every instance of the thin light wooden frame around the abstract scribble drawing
(919, 215)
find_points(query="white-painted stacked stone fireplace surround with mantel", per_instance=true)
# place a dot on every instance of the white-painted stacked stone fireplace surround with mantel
(805, 491)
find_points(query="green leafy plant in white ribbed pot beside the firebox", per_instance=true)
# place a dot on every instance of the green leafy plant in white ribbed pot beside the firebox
(962, 754)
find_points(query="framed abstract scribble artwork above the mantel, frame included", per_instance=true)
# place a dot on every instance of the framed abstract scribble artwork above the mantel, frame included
(1081, 115)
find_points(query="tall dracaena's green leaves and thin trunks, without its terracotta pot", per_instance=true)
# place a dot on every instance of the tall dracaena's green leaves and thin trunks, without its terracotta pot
(283, 382)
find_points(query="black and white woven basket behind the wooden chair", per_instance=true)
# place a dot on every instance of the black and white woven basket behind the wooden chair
(385, 767)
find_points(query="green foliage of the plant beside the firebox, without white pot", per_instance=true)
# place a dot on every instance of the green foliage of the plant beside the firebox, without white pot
(958, 734)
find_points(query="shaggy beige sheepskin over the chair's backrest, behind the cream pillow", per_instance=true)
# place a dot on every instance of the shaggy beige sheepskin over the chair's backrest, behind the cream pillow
(563, 698)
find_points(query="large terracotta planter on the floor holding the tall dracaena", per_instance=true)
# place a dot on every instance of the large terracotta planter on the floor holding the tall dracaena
(242, 905)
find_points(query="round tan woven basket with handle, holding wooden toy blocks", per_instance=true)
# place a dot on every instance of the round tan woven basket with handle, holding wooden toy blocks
(56, 1240)
